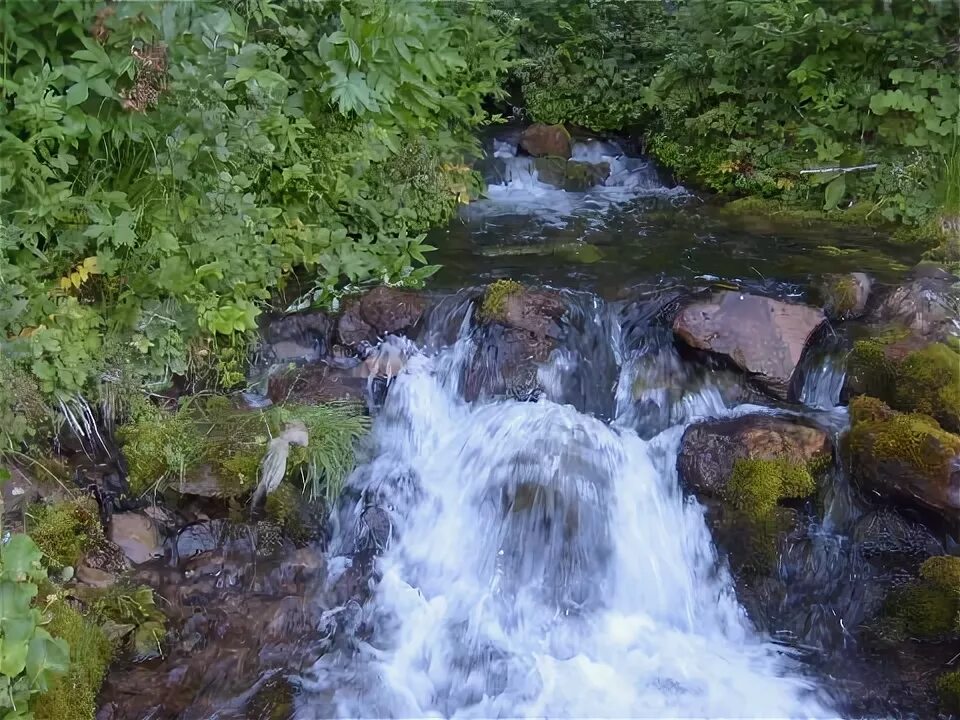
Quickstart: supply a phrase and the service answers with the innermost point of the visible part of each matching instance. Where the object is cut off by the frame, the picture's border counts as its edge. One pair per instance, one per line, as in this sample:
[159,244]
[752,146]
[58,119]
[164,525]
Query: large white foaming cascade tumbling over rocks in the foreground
[541,562]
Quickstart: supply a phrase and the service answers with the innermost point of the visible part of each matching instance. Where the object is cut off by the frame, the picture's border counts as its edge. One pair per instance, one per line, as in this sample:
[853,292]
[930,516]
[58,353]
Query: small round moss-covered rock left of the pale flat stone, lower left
[66,530]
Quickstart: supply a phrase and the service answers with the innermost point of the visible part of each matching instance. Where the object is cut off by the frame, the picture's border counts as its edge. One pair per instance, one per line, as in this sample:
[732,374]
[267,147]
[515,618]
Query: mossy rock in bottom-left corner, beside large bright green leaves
[74,696]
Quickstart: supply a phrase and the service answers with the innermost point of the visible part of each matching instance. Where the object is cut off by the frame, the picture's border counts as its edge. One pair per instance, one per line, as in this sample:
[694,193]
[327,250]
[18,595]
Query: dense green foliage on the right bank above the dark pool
[743,96]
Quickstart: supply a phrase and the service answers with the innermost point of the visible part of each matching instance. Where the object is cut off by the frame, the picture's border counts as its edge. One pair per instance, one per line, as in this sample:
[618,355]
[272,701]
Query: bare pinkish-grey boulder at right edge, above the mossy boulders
[927,305]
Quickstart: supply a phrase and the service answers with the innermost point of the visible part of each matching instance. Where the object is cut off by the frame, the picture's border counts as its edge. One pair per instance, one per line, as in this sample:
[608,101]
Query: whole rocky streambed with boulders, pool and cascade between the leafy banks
[572,493]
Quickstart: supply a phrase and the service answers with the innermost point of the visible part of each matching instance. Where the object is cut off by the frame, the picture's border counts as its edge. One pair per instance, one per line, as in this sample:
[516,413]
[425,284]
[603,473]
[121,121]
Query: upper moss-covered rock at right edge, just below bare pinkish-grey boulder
[910,376]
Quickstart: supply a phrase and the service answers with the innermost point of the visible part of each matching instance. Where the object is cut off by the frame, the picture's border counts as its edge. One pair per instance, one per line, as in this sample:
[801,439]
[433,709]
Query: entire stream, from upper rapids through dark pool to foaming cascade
[535,555]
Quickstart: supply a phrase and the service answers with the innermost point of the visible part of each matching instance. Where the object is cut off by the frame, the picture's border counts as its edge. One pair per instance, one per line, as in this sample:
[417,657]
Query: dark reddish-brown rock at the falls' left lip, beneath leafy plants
[380,312]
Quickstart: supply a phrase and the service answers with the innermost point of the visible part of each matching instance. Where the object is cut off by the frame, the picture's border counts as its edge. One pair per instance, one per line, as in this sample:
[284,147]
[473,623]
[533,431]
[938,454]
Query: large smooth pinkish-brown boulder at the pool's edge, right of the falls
[762,336]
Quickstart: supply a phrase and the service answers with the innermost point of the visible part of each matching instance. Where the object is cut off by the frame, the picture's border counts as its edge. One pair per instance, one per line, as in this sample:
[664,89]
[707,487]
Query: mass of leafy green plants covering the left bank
[138,140]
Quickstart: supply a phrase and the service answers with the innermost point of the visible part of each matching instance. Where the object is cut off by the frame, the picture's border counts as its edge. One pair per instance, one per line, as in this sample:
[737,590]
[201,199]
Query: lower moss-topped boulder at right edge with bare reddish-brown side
[904,456]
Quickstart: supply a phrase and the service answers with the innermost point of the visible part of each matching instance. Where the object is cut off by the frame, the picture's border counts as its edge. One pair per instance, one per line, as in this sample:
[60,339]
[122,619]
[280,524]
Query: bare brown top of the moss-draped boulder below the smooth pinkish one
[709,450]
